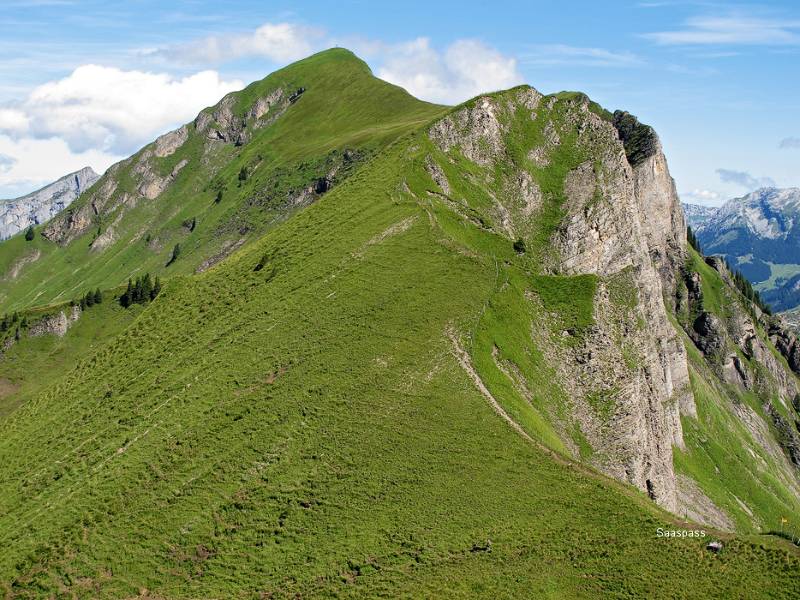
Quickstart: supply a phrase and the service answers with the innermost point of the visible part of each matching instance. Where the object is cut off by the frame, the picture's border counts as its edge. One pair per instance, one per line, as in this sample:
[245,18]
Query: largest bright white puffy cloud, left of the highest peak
[112,110]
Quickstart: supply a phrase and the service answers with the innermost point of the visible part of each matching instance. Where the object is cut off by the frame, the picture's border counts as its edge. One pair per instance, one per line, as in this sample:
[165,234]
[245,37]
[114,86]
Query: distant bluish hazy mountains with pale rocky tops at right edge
[759,234]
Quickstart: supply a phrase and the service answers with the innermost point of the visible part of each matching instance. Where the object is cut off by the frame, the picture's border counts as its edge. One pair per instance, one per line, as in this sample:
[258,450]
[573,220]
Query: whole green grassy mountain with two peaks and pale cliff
[476,358]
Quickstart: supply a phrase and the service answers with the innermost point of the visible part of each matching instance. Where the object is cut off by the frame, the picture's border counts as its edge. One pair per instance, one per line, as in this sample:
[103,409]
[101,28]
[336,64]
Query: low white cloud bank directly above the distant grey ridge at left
[32,163]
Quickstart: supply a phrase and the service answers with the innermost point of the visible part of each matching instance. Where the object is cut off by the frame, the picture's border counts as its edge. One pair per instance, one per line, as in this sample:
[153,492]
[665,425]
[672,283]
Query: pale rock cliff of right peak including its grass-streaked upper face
[631,356]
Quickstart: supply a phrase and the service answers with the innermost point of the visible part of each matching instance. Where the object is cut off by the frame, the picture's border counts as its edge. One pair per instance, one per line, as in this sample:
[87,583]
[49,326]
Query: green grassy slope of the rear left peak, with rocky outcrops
[286,150]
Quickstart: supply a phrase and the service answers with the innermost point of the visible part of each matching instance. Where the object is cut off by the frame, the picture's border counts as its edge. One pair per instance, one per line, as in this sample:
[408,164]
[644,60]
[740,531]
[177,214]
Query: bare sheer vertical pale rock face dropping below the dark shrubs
[620,225]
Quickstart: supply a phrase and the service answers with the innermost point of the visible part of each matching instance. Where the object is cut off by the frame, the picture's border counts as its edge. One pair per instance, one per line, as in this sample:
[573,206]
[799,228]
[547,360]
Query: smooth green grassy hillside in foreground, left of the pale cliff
[312,417]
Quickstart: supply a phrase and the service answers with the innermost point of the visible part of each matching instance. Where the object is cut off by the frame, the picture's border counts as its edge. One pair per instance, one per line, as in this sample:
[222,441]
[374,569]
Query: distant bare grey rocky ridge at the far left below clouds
[40,206]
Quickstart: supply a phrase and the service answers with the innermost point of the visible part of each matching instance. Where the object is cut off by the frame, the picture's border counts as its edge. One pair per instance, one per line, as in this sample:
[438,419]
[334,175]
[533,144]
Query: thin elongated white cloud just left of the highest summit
[279,42]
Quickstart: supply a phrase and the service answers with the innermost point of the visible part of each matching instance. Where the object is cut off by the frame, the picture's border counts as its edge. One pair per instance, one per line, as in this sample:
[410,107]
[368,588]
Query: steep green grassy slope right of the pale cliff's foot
[722,452]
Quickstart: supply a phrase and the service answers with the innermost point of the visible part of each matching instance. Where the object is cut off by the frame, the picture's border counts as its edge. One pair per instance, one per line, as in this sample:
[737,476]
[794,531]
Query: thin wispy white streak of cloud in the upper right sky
[735,29]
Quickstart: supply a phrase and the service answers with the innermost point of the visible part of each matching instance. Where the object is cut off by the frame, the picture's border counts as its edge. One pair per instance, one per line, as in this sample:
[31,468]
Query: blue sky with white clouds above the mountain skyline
[88,82]
